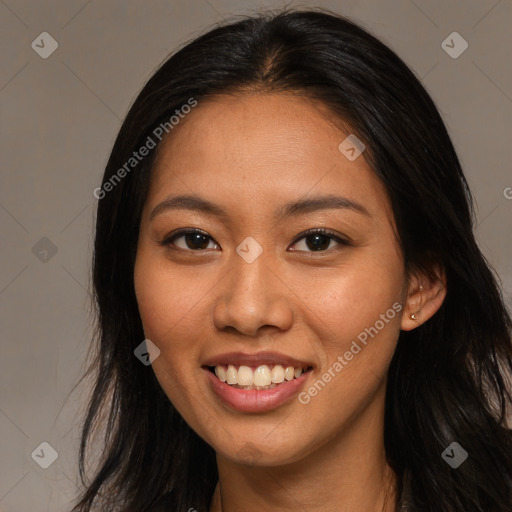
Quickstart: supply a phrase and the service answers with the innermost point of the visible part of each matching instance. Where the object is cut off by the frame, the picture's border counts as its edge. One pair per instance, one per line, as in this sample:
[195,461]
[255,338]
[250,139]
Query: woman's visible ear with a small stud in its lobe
[425,295]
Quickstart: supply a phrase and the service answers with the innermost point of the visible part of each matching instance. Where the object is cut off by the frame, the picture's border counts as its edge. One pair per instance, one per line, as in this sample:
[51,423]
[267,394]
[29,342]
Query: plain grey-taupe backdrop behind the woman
[59,118]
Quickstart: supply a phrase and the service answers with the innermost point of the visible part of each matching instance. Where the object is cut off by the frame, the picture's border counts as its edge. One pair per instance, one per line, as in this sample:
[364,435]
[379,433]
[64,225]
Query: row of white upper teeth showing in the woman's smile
[261,378]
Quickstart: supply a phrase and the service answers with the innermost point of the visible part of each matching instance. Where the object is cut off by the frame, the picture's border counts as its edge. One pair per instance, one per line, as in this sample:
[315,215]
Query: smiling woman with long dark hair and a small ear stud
[293,310]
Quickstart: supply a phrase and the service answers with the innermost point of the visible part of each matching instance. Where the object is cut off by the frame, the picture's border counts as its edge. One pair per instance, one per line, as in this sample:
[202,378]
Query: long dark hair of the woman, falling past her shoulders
[448,378]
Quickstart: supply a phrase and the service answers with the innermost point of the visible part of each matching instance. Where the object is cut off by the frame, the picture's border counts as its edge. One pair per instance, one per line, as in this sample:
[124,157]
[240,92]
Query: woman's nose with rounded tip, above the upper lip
[252,298]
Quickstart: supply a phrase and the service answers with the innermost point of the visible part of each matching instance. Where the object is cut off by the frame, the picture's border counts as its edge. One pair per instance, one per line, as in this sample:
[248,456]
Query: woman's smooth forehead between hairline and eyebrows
[270,147]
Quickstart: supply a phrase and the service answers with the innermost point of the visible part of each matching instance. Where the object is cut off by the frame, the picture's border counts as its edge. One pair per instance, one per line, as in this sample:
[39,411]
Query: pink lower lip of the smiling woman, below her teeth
[254,400]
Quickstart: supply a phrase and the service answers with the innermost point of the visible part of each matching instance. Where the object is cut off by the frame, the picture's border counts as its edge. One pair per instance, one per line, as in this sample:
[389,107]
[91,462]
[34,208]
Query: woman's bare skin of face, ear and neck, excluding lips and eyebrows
[251,154]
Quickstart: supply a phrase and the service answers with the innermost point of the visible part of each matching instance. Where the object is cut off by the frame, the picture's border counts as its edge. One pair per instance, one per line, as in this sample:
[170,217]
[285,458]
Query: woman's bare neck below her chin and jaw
[348,473]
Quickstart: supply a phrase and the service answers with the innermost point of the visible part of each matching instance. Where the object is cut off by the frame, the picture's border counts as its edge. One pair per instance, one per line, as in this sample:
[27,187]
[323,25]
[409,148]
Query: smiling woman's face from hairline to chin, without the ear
[254,291]
